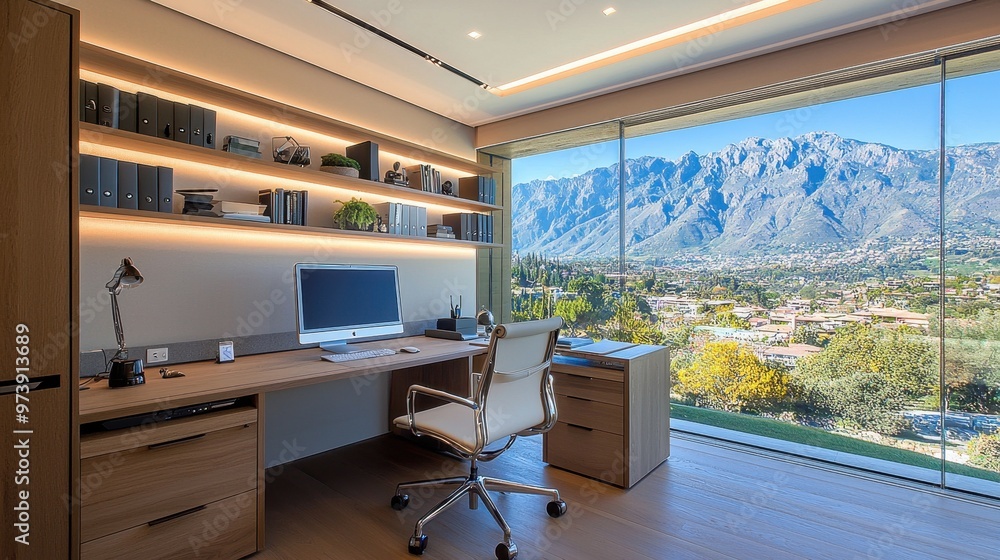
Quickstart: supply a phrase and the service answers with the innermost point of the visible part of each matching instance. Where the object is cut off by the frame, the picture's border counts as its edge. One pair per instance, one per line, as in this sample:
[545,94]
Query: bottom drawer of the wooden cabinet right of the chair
[589,452]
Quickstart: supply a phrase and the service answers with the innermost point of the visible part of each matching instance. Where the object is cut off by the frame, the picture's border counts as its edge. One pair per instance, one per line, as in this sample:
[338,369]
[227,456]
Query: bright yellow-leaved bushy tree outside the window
[731,378]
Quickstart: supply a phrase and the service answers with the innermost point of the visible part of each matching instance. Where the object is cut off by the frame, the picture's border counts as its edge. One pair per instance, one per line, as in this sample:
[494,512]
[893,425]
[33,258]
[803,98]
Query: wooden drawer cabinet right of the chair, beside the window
[614,413]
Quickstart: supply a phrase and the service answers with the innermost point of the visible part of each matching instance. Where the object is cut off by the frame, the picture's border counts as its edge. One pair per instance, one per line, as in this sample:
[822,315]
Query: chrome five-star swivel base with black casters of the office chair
[475,487]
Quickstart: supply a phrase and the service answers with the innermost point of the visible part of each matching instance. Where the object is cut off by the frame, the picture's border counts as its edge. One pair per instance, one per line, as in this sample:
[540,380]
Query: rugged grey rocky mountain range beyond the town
[759,195]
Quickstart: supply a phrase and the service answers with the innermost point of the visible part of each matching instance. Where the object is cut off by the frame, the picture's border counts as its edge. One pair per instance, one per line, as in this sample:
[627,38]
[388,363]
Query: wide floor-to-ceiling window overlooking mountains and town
[789,247]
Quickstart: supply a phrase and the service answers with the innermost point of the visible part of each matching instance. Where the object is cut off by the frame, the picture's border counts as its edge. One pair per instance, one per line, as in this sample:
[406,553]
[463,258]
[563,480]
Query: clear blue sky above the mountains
[905,119]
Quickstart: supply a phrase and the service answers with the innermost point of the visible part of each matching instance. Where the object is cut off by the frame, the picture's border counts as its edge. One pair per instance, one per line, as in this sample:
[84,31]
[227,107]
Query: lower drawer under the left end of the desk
[223,529]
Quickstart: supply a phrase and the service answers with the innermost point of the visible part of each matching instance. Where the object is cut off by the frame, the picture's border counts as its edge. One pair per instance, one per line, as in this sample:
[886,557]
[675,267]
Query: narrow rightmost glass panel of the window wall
[971,421]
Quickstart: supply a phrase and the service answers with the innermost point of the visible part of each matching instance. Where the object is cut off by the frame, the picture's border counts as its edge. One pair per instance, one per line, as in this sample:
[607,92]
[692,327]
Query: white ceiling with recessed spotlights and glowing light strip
[523,37]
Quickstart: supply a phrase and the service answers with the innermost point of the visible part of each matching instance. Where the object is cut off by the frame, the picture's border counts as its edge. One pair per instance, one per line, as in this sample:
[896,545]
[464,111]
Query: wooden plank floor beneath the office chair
[706,501]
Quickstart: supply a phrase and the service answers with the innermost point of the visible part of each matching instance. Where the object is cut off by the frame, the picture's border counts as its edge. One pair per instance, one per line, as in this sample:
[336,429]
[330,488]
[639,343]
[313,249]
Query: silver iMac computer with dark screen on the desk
[335,303]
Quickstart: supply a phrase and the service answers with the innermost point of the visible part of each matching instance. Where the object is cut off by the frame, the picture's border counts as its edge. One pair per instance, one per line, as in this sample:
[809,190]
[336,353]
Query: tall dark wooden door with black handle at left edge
[38,62]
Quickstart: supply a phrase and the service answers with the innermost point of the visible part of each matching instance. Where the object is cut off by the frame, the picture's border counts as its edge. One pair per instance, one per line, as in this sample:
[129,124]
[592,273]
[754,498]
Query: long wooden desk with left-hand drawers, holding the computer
[195,485]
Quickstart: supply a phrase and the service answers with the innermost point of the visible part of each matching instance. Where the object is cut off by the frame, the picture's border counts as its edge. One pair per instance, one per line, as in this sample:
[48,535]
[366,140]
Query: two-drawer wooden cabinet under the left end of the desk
[180,488]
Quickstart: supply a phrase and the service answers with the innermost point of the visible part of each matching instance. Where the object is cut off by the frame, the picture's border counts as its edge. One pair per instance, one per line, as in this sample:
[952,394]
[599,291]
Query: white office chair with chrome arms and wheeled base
[512,397]
